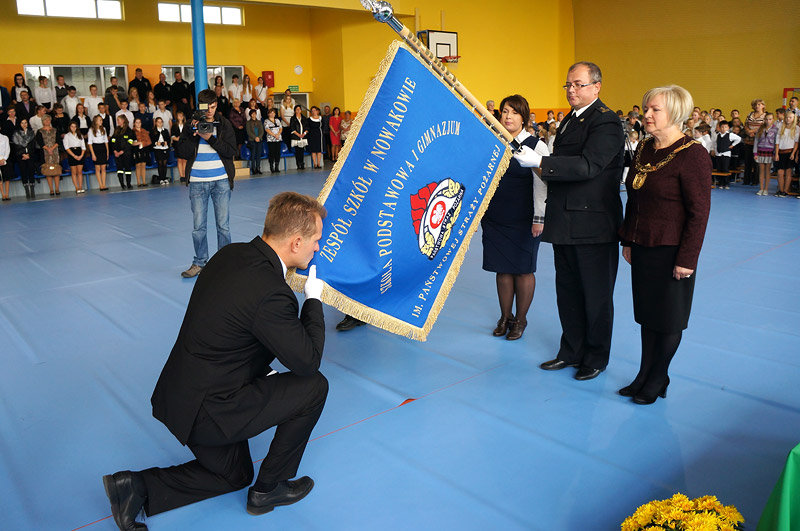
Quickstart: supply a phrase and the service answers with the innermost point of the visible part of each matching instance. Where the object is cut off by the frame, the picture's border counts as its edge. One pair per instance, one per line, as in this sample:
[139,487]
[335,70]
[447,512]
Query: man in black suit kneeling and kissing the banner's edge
[216,391]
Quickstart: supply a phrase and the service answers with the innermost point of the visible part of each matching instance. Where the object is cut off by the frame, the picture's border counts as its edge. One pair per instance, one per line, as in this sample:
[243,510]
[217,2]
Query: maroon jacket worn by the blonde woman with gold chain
[672,206]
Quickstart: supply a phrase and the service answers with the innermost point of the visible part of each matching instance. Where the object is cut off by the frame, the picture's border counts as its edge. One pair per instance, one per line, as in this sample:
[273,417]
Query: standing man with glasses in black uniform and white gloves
[582,216]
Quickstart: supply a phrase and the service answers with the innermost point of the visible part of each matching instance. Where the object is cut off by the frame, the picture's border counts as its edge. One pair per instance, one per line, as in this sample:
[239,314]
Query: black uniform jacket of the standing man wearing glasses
[583,178]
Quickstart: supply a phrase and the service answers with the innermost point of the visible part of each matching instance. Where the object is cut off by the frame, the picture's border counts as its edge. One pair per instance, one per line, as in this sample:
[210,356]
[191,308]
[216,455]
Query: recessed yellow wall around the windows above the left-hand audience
[273,38]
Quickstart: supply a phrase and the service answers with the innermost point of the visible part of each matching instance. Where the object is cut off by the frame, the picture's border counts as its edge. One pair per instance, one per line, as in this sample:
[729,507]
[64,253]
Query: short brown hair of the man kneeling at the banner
[290,213]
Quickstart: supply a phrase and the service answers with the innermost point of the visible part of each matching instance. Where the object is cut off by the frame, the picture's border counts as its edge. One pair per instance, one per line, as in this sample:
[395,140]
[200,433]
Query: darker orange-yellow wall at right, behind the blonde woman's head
[724,54]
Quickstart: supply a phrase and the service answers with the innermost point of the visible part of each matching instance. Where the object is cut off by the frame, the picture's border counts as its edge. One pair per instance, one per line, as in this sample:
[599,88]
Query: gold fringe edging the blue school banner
[354,308]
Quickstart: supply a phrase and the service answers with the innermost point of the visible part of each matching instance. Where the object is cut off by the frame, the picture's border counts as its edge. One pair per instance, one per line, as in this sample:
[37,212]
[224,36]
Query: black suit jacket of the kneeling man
[241,316]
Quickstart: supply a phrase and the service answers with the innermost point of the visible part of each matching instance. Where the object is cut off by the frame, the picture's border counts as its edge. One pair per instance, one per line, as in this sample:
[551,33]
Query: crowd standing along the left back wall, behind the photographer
[41,127]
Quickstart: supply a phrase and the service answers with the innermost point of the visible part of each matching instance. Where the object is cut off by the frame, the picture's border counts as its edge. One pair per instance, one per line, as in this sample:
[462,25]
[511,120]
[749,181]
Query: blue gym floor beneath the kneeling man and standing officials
[91,300]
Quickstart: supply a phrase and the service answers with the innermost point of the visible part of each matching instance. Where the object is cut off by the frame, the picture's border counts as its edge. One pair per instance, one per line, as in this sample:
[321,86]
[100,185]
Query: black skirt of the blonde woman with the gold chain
[660,302]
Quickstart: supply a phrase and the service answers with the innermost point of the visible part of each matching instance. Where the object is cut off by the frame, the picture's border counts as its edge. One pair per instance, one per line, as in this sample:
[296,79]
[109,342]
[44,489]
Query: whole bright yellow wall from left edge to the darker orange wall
[339,49]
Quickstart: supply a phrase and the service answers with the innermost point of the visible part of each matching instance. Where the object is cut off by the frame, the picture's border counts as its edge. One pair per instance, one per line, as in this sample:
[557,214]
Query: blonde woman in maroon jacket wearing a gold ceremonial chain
[669,197]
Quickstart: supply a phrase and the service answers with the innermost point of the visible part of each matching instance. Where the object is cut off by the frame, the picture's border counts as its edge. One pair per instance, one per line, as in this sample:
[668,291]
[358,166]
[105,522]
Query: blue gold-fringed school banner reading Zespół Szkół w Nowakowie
[406,196]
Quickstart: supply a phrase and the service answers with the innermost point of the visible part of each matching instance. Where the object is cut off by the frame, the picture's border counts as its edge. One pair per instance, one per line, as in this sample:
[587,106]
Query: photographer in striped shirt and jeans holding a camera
[211,145]
